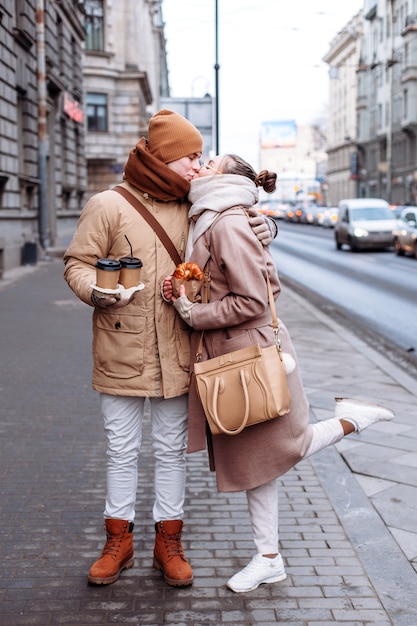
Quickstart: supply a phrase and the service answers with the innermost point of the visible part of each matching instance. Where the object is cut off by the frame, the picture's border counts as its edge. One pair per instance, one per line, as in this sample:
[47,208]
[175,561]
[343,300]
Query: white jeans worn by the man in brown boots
[123,420]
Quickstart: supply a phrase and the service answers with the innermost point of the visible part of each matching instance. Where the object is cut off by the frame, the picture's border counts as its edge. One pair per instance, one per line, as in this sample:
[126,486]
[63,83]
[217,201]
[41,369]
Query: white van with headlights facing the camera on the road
[365,223]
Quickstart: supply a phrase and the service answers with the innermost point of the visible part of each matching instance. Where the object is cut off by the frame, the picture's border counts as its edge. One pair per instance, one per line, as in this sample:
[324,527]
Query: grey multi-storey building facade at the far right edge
[387,105]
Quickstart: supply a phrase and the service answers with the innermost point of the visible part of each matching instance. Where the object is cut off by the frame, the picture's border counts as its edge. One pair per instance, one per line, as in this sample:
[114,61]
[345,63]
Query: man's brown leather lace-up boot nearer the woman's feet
[169,554]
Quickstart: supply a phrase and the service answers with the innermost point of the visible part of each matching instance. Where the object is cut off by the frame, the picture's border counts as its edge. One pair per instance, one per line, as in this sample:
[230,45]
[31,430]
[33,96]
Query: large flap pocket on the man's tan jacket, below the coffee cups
[119,345]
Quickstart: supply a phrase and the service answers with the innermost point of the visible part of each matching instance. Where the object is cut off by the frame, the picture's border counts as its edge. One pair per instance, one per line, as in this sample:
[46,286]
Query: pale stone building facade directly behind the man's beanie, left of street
[125,74]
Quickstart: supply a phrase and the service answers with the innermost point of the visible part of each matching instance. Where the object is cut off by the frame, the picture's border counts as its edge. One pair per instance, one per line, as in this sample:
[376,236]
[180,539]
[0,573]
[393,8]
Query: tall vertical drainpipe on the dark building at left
[42,130]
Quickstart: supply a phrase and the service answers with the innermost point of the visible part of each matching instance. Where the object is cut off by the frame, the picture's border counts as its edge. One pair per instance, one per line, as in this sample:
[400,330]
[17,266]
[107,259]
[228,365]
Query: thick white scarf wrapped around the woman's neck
[211,195]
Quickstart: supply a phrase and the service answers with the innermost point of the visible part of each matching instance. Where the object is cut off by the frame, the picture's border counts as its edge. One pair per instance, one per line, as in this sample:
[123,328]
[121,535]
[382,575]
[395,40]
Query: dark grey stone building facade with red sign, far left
[42,162]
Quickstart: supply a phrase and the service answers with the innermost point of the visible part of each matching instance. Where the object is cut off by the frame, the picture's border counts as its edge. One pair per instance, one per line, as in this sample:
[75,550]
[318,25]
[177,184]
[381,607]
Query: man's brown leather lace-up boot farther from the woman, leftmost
[117,553]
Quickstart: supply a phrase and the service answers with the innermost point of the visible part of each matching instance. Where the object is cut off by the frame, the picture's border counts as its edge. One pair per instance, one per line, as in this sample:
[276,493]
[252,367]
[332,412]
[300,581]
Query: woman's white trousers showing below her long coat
[263,500]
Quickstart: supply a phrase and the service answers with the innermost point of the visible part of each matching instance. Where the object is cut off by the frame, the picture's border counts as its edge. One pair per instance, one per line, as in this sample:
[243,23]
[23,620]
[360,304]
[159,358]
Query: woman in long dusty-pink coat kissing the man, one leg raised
[236,316]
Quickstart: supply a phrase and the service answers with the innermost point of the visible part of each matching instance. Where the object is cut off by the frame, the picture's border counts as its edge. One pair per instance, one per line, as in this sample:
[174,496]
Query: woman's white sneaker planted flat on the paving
[259,570]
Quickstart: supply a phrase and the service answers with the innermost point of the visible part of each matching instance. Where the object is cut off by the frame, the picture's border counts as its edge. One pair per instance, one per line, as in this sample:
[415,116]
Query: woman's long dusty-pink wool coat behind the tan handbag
[238,315]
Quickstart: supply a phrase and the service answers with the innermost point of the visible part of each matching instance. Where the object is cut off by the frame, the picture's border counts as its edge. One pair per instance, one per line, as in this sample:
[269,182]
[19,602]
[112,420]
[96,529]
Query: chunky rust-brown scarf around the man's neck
[152,176]
